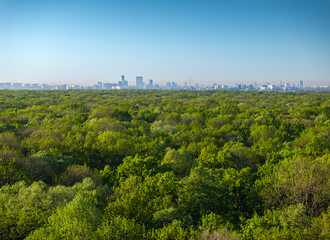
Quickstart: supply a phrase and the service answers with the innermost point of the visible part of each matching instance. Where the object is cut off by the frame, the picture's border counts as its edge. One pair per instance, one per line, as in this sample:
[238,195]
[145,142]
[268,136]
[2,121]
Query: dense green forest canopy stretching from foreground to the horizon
[164,165]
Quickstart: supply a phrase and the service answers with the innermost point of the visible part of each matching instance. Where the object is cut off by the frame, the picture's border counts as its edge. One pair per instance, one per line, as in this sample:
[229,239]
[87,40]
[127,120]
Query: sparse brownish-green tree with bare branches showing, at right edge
[300,180]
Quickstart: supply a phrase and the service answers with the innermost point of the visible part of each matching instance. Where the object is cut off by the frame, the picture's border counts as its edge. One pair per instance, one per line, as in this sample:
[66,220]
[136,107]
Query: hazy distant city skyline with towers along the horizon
[149,85]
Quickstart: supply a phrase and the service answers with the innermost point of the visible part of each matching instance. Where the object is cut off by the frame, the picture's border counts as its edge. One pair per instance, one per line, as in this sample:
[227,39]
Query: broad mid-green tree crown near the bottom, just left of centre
[139,198]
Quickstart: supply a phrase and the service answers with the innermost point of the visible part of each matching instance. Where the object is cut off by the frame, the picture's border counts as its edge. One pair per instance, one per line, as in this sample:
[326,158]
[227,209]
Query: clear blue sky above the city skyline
[229,41]
